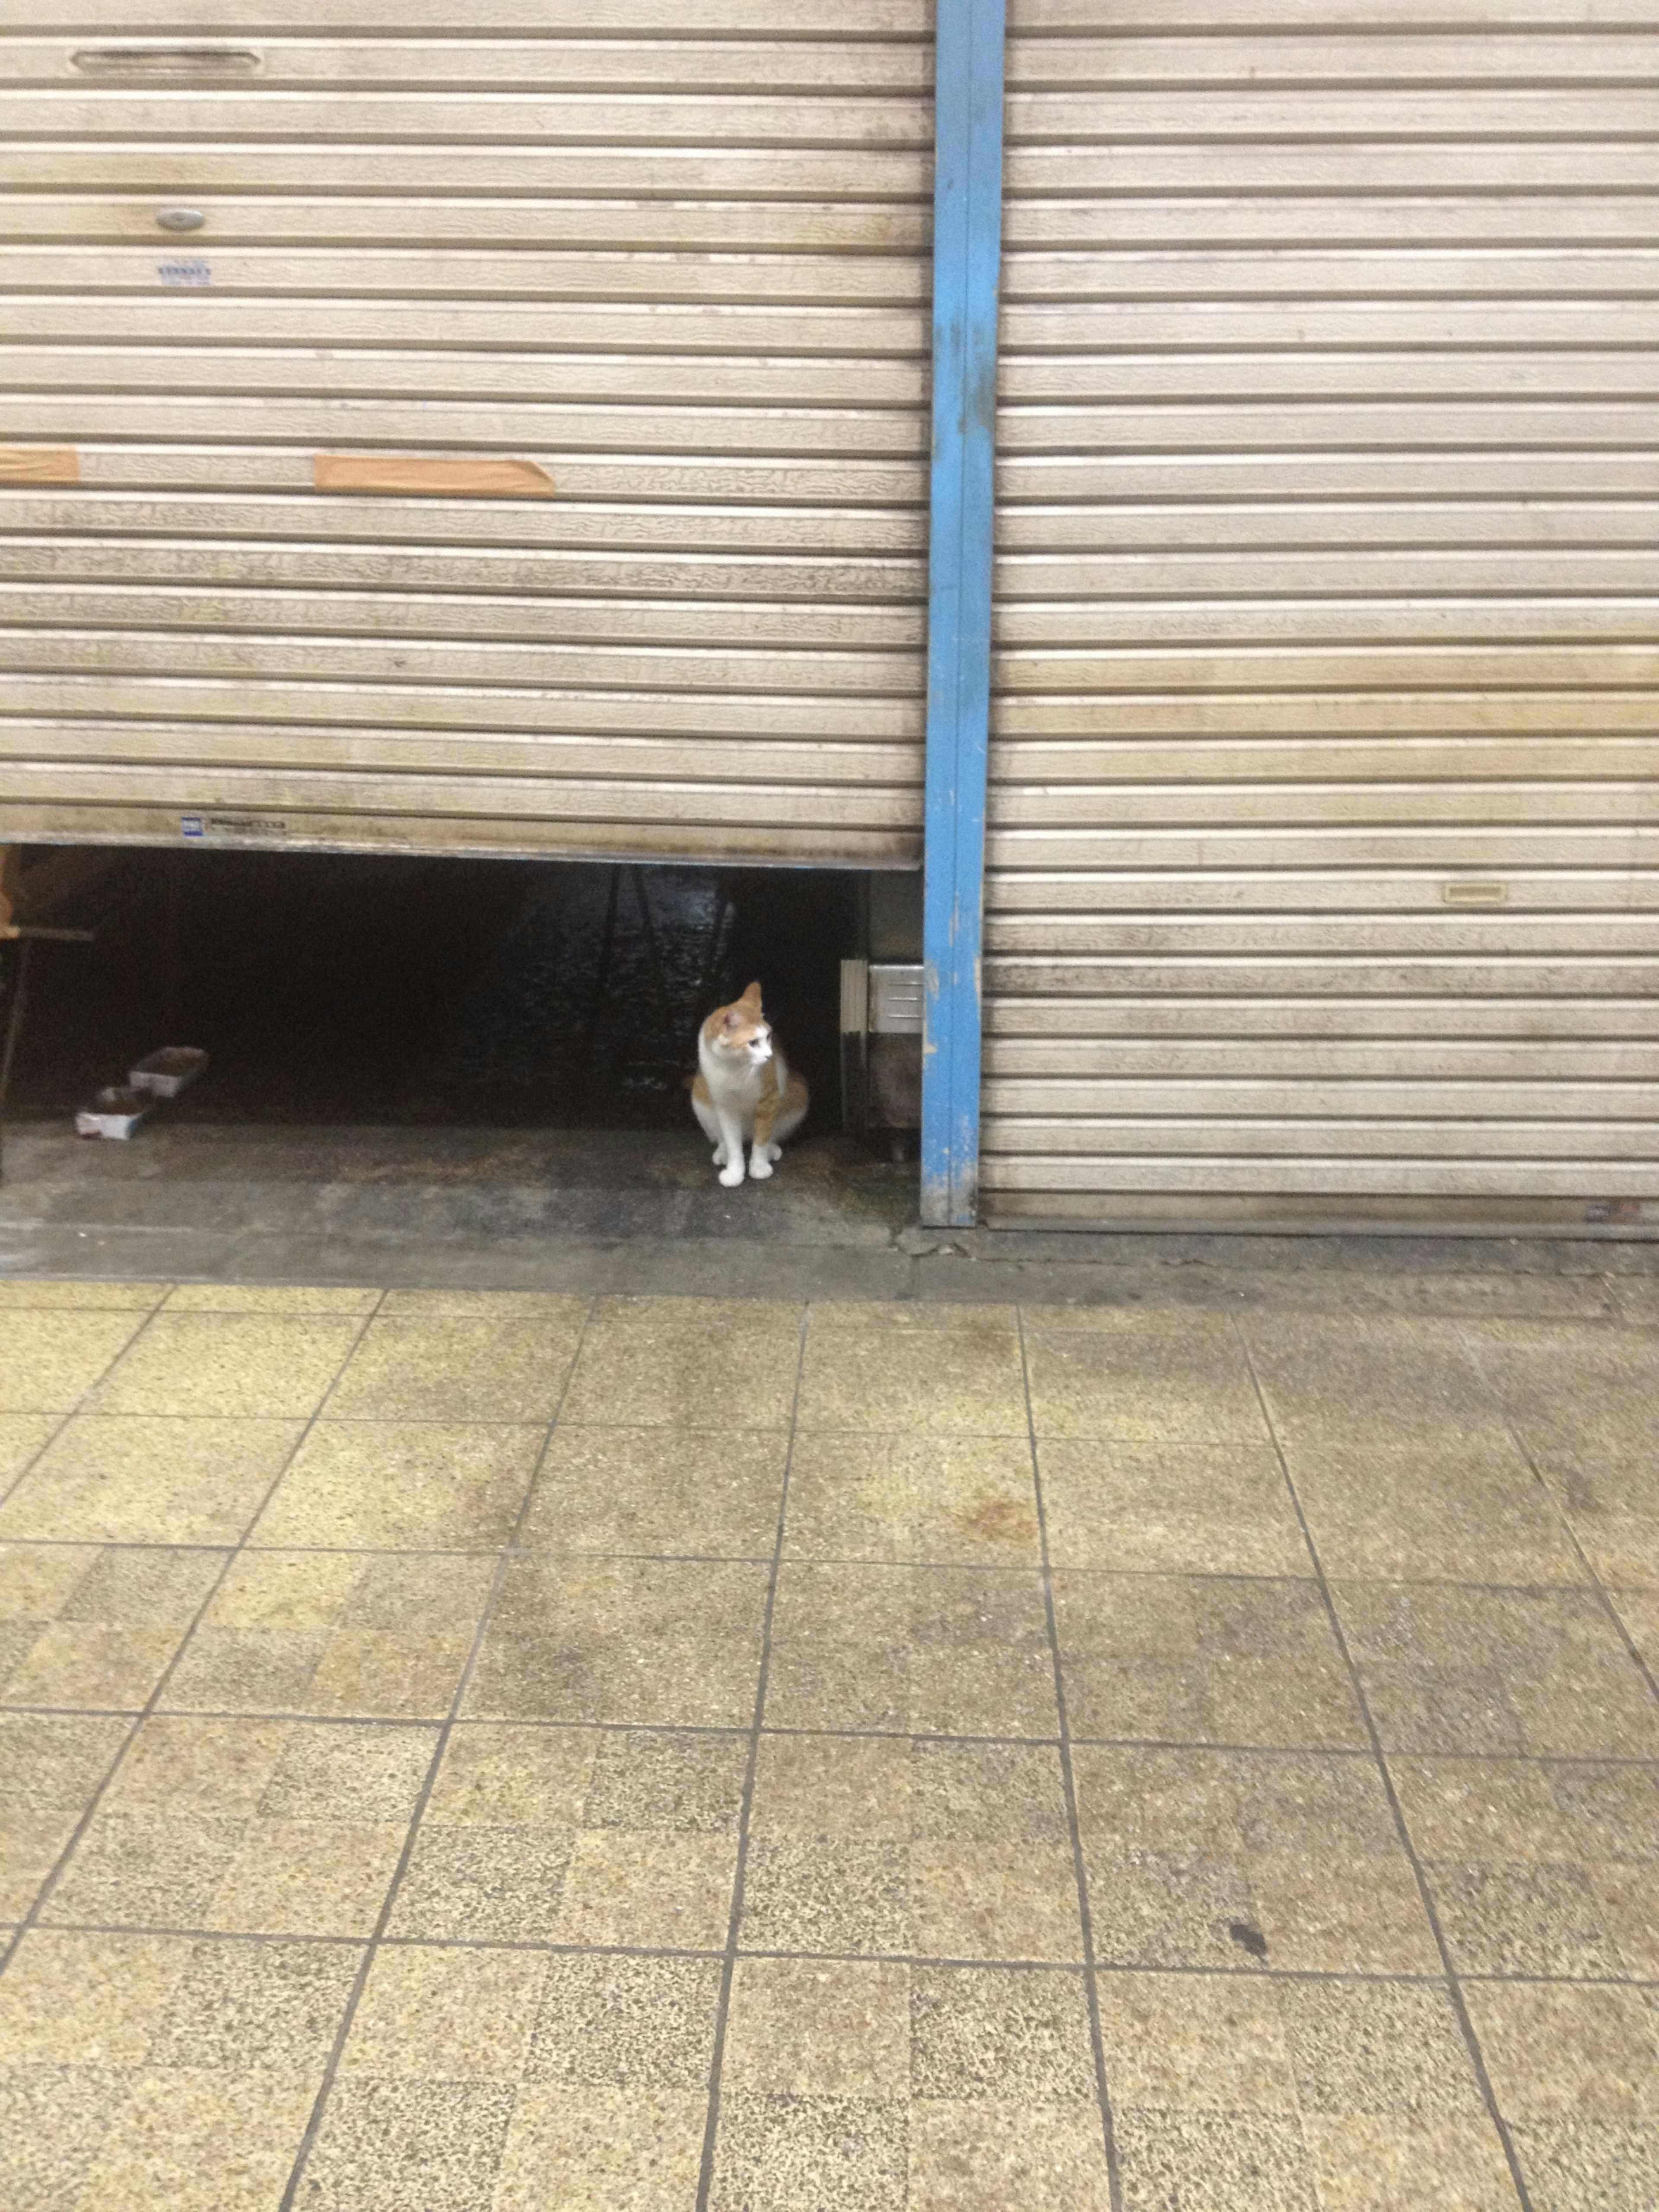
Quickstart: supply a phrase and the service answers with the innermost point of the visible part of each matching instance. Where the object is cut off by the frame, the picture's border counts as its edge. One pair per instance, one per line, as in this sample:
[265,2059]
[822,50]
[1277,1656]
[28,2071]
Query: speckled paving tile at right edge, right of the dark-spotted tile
[1538,1868]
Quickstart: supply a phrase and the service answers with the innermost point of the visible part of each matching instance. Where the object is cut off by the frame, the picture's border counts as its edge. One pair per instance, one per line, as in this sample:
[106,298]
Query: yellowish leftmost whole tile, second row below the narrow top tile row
[160,1481]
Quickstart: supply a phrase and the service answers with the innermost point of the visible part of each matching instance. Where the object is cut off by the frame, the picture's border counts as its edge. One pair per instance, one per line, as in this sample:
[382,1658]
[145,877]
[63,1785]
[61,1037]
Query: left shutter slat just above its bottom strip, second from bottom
[474,753]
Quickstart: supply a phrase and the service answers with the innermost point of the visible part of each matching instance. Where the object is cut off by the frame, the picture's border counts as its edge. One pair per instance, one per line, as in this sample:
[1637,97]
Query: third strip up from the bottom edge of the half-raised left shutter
[466,707]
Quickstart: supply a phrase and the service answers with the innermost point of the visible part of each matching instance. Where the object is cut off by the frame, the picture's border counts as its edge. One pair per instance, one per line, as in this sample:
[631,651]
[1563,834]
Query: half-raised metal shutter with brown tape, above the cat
[636,300]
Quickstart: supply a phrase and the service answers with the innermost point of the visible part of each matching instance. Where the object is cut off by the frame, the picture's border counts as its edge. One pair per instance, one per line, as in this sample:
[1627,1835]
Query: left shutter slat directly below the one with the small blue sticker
[200,317]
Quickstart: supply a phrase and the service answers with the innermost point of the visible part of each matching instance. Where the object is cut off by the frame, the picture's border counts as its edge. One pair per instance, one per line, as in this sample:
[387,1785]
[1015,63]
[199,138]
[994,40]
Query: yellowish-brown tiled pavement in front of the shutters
[512,1753]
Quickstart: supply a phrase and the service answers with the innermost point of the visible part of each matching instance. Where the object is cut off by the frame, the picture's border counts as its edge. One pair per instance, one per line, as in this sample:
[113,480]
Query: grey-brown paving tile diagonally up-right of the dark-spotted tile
[1472,1671]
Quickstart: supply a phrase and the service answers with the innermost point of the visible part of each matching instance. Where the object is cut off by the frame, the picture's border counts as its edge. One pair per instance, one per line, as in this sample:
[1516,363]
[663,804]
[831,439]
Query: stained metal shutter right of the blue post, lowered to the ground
[1324,862]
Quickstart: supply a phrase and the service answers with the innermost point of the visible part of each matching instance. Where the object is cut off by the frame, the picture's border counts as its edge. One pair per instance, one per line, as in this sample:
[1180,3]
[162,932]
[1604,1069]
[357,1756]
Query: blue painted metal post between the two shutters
[968,244]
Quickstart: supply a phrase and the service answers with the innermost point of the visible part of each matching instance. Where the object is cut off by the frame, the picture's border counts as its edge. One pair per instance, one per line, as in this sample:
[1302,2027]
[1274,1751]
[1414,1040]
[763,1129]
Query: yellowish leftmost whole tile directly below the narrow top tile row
[231,1366]
